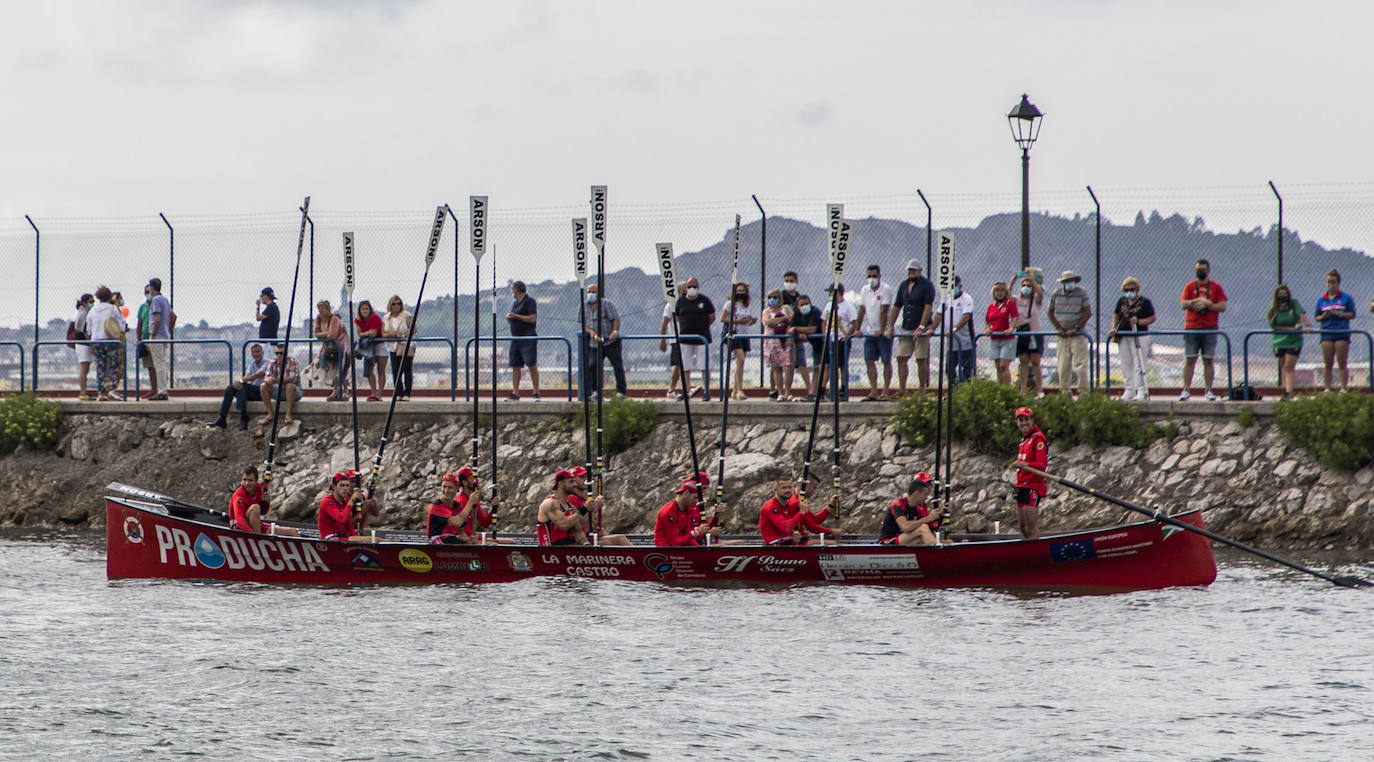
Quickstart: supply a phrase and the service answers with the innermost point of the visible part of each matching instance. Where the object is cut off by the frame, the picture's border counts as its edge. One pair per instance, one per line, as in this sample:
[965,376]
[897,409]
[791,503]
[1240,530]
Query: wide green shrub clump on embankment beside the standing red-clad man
[983,417]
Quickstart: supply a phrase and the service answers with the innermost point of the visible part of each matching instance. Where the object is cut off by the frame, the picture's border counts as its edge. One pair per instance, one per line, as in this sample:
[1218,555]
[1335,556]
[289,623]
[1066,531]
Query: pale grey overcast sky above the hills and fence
[123,109]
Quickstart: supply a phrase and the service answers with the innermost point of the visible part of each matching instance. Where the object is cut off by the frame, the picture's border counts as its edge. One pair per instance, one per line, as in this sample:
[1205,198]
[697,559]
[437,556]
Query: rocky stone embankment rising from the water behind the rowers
[1254,485]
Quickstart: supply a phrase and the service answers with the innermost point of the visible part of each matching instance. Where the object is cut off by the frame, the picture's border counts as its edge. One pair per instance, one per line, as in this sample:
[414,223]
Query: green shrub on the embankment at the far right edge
[1336,428]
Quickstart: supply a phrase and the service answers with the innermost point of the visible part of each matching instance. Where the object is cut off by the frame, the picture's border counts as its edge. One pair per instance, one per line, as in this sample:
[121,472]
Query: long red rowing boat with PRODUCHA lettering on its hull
[155,536]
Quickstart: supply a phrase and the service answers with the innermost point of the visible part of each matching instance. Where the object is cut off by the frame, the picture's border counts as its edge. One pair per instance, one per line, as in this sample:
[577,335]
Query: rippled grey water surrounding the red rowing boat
[1263,665]
